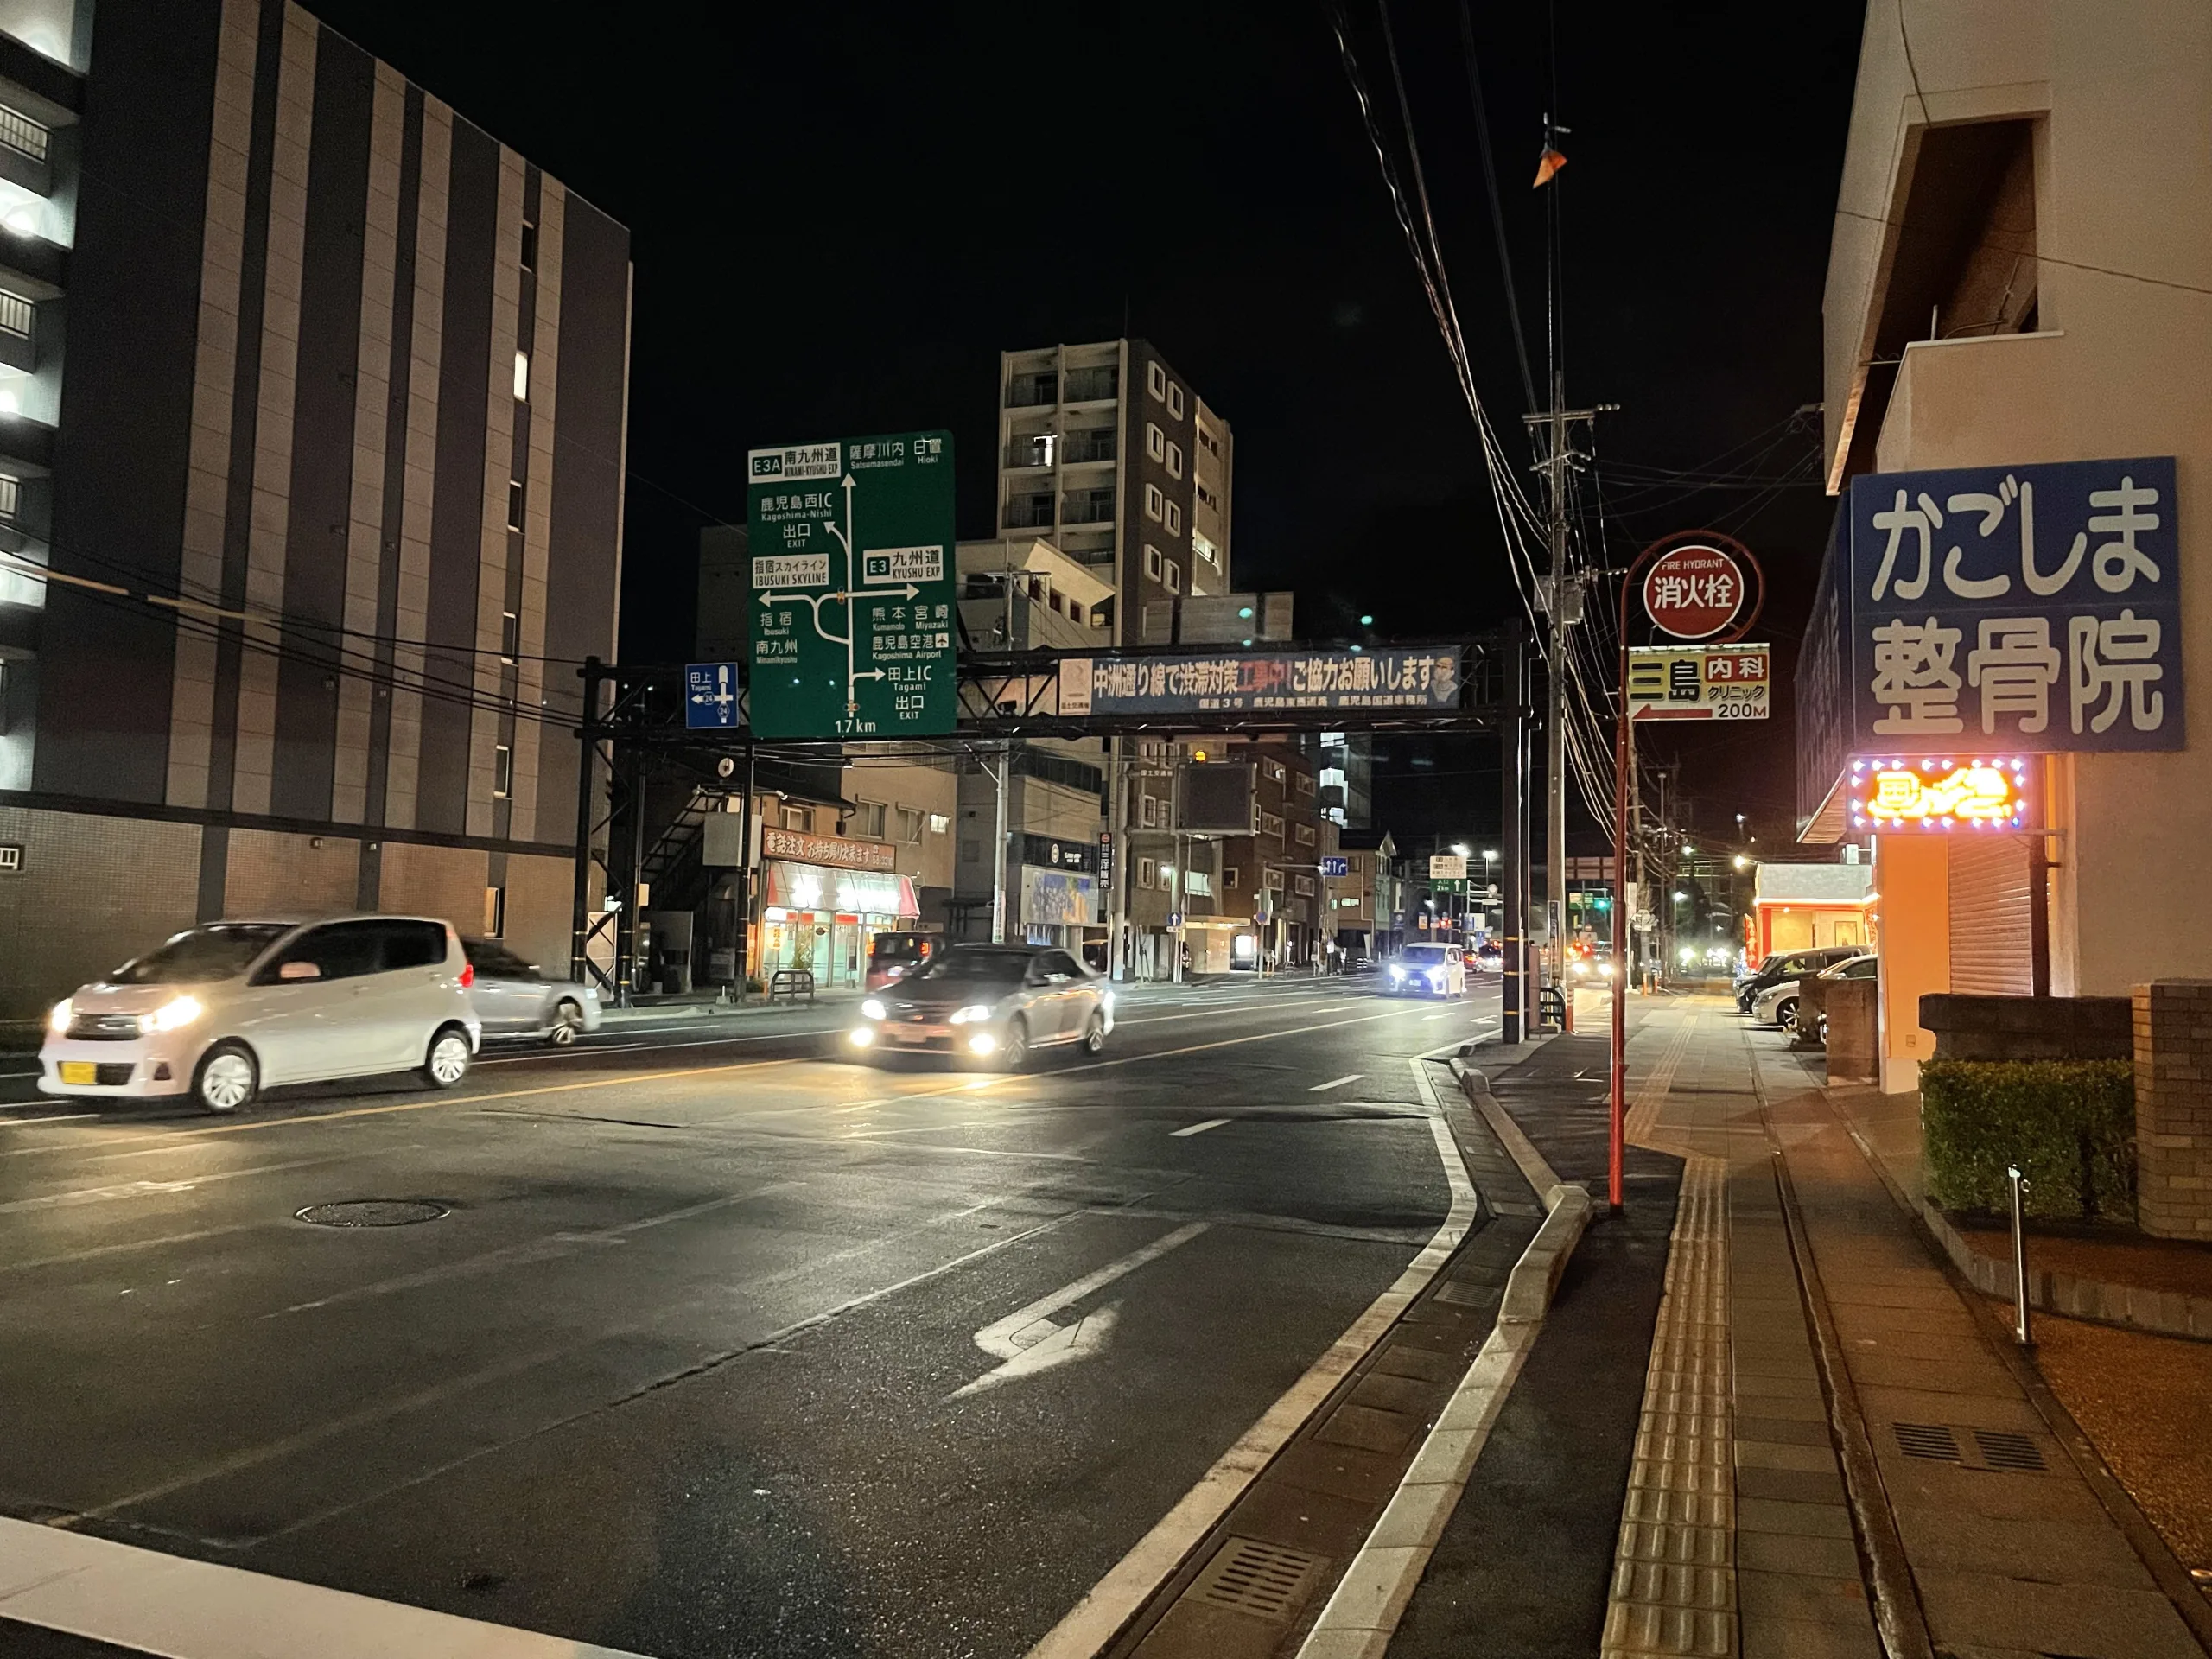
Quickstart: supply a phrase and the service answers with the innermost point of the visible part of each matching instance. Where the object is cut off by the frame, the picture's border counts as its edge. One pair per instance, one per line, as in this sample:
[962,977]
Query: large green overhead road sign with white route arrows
[853,587]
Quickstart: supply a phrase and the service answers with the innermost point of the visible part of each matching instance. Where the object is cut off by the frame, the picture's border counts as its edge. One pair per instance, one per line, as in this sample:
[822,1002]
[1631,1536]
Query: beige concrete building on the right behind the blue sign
[2021,278]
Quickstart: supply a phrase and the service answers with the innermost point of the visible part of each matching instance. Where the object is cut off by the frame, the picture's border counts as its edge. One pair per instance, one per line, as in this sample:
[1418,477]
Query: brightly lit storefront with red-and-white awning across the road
[822,908]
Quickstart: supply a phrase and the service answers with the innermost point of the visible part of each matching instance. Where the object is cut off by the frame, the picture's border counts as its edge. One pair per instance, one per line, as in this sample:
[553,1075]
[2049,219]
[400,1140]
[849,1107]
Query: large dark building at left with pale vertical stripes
[302,539]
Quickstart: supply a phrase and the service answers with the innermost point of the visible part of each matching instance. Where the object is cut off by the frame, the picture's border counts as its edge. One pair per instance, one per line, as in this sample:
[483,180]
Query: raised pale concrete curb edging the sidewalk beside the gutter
[1364,1614]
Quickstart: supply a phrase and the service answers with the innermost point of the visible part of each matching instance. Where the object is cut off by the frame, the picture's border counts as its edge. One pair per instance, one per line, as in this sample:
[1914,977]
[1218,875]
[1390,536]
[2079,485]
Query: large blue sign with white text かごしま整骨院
[2016,607]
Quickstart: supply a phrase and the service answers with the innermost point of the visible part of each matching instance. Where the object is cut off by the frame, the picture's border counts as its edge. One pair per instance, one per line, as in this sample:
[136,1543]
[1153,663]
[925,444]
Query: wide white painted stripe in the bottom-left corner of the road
[152,1603]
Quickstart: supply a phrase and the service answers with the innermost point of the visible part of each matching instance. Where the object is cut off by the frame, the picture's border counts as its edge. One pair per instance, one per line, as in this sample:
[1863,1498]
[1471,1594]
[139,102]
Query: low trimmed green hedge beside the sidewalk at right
[2067,1123]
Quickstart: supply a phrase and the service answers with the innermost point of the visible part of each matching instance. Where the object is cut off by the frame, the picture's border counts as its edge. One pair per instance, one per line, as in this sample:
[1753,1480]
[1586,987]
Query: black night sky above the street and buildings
[844,213]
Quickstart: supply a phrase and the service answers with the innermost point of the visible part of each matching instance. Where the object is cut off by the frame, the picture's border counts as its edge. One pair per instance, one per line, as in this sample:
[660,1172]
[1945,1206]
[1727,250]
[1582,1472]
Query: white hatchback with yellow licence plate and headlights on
[229,1010]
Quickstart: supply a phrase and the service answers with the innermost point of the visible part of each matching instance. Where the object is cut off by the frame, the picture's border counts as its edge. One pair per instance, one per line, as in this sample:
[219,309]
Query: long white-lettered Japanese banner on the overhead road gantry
[1253,680]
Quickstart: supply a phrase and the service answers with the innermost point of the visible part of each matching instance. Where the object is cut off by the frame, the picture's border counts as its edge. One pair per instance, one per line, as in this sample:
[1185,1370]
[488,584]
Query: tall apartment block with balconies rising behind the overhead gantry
[1107,452]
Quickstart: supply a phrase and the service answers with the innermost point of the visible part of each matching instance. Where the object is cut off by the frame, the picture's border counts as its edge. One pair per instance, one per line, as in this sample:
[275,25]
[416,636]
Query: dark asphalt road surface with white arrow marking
[713,1346]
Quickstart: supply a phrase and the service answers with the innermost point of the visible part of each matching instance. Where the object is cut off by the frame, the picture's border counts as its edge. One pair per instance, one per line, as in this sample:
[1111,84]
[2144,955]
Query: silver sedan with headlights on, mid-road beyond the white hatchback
[990,1003]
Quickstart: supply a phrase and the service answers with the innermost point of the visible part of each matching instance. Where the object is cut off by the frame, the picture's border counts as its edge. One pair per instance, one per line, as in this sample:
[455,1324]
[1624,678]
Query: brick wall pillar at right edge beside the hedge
[2173,1107]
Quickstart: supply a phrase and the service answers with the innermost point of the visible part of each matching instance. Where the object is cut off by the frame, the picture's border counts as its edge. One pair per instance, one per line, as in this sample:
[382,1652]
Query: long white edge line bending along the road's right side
[1114,1600]
